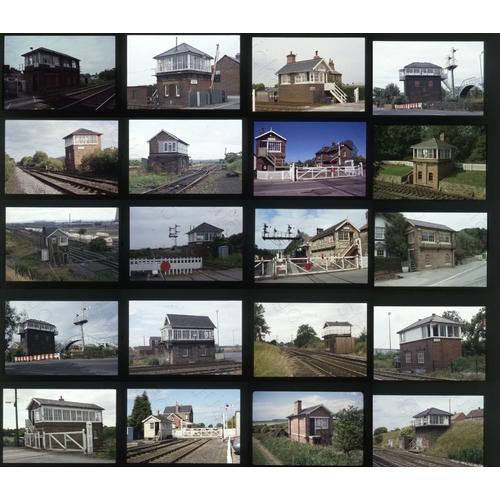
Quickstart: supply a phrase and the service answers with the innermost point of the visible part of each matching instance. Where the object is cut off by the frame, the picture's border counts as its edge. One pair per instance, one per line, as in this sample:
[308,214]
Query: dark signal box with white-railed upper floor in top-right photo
[422,82]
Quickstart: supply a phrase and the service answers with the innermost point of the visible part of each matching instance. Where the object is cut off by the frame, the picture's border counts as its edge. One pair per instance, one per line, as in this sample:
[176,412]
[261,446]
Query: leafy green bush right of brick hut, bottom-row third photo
[348,429]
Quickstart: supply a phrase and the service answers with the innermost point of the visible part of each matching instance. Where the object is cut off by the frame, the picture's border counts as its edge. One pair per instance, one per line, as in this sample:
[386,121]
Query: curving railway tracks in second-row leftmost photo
[69,183]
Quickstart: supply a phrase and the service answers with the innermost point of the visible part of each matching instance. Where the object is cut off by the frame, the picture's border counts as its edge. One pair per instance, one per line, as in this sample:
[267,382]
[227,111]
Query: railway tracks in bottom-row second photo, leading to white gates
[170,451]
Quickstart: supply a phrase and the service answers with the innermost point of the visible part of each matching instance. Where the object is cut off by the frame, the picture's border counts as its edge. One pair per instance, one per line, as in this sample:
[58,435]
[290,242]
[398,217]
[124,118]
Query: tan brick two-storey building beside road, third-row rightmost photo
[430,245]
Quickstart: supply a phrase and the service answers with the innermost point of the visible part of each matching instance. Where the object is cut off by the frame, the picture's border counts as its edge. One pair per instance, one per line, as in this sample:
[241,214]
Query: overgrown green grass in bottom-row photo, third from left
[301,454]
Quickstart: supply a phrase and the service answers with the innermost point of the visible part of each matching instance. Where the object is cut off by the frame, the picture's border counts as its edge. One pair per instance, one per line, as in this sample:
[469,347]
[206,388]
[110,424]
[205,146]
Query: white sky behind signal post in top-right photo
[390,57]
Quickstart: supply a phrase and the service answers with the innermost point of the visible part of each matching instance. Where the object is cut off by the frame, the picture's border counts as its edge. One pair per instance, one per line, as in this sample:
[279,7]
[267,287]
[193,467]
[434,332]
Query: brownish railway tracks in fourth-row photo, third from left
[322,364]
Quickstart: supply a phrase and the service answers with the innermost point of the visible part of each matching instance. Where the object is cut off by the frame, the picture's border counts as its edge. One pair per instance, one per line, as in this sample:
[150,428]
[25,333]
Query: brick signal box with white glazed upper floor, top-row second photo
[184,78]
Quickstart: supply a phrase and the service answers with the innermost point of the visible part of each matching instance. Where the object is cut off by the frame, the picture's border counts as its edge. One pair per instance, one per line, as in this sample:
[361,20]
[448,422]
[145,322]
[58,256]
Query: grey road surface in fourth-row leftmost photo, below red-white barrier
[106,366]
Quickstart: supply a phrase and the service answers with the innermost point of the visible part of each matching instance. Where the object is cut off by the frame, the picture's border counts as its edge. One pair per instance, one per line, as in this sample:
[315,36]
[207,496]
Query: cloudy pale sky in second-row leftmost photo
[26,137]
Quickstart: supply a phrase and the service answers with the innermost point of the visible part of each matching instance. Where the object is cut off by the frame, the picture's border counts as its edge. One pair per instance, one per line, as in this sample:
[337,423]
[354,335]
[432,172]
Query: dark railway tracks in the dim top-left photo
[99,97]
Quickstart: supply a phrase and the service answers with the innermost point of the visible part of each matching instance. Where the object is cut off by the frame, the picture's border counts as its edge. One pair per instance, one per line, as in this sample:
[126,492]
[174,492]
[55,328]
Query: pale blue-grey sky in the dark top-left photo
[96,53]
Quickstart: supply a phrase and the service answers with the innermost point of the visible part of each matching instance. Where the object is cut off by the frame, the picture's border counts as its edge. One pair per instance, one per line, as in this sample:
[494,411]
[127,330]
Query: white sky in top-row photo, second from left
[141,49]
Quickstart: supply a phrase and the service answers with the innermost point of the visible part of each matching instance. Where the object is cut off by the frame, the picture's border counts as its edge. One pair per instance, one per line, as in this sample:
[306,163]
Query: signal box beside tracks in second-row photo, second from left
[168,153]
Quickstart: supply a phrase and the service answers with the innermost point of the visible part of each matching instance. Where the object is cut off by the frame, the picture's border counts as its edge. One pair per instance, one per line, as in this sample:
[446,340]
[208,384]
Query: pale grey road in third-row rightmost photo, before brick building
[468,275]
